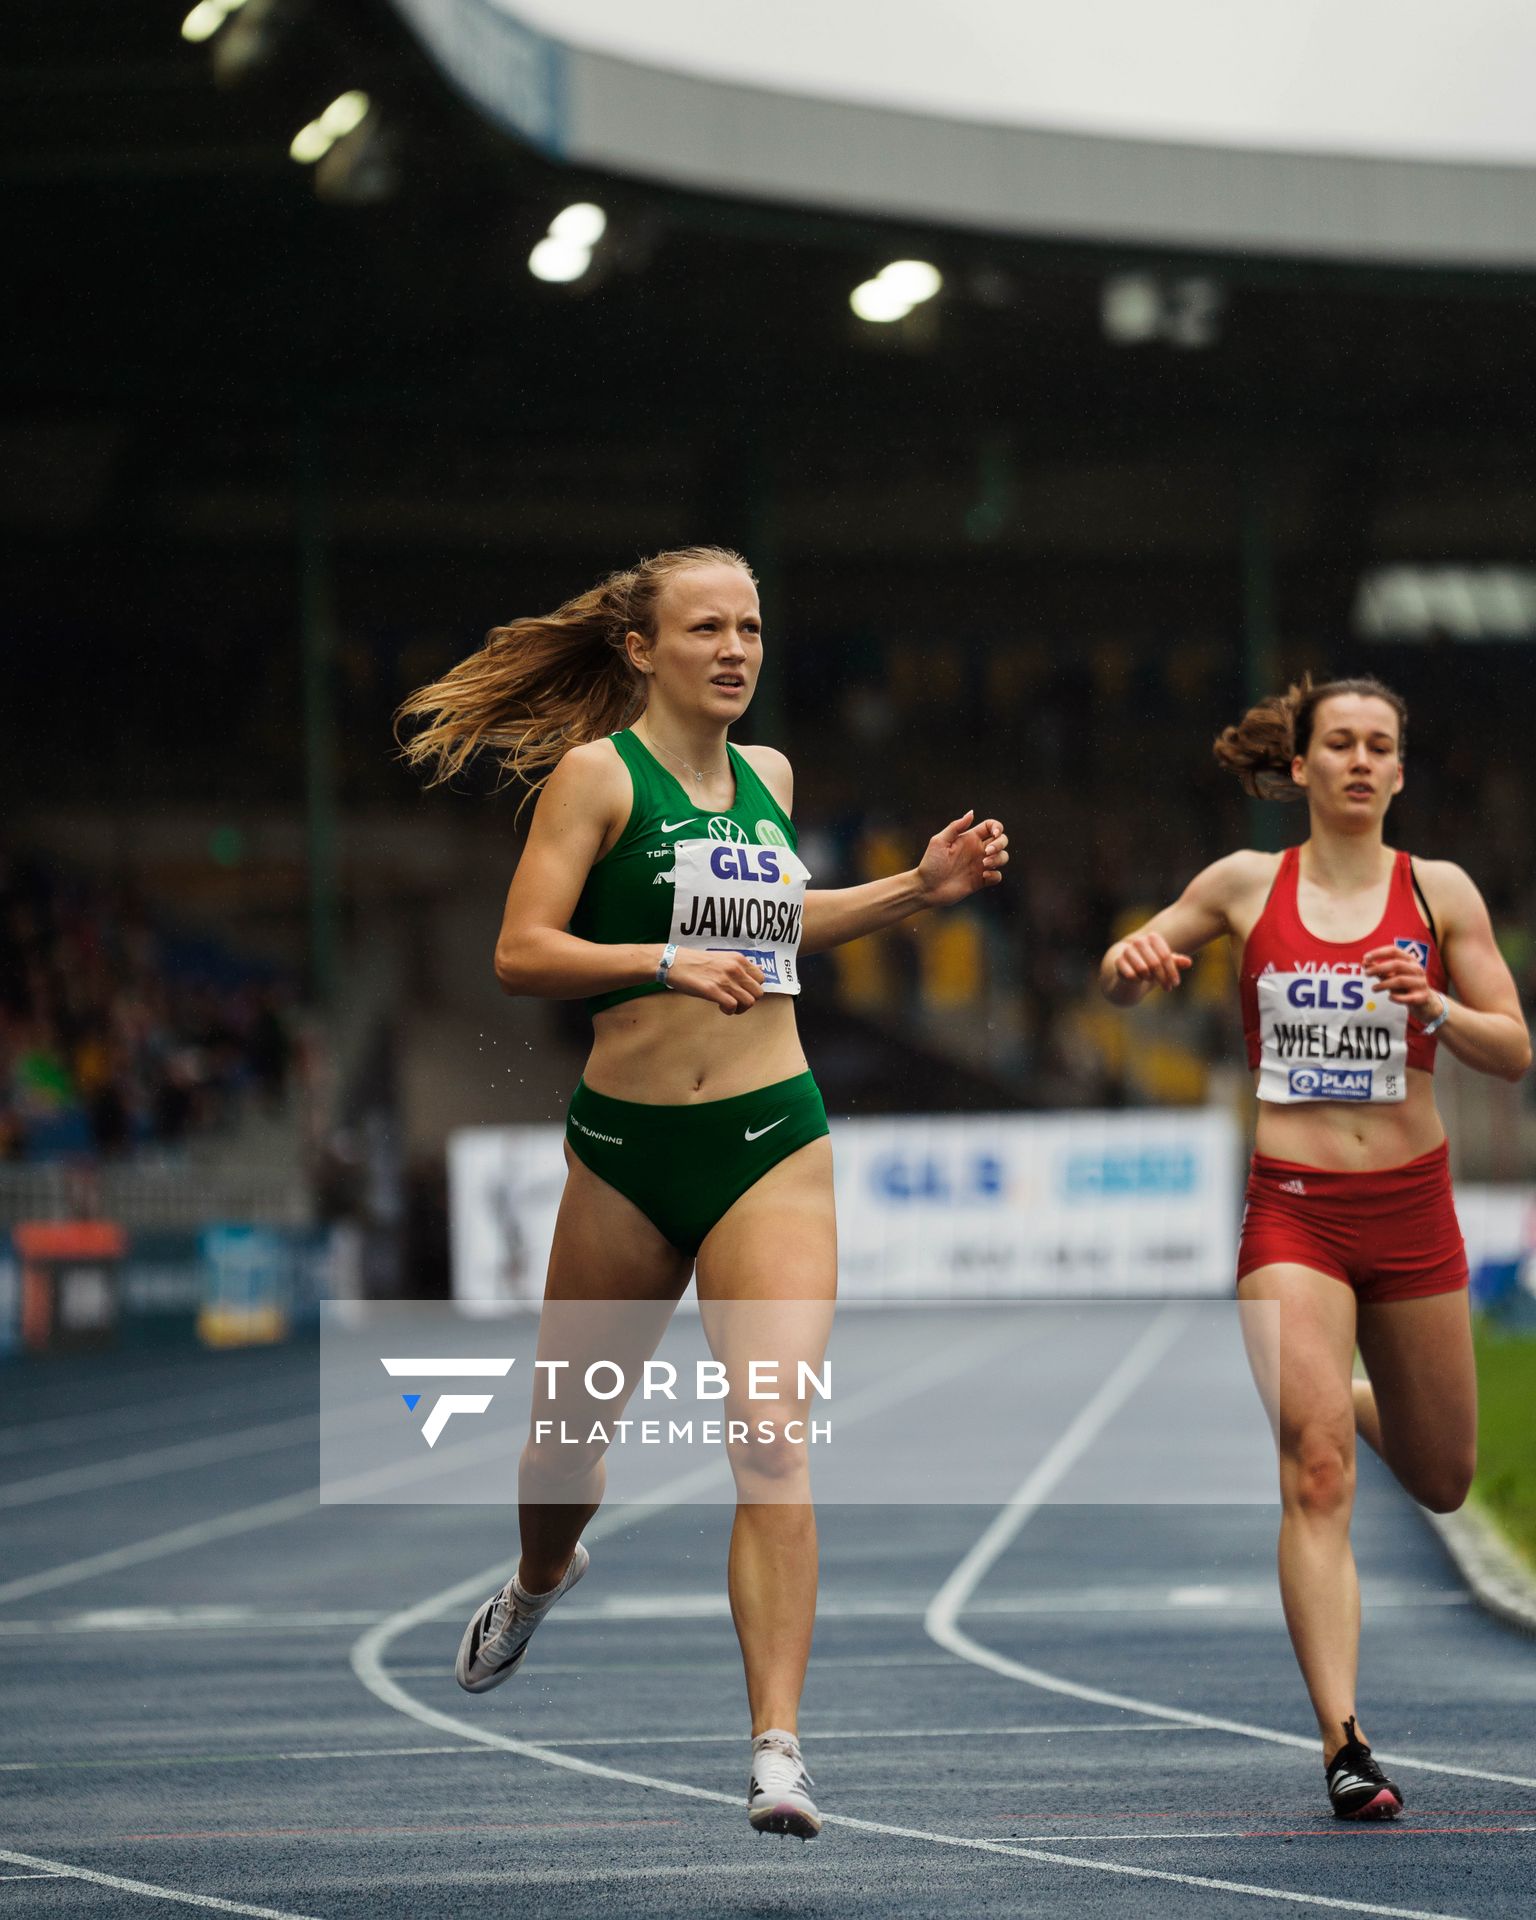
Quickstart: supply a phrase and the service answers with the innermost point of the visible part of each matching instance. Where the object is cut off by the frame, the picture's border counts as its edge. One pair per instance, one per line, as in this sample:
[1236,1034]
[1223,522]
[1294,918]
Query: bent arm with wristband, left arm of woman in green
[581,811]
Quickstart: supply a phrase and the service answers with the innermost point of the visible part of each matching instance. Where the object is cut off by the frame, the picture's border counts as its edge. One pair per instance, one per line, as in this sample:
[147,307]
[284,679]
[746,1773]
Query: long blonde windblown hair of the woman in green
[548,683]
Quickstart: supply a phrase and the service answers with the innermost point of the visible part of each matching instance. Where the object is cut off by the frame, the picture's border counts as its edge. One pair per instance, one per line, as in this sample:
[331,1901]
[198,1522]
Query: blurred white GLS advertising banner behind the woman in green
[1061,1205]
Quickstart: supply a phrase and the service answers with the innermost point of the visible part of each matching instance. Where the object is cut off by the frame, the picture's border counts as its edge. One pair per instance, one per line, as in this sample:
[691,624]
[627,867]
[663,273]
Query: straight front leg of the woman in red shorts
[1310,1406]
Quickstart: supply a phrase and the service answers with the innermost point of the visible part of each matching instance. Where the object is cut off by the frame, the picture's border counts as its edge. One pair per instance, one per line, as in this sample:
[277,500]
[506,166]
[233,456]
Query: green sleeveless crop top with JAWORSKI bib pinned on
[679,873]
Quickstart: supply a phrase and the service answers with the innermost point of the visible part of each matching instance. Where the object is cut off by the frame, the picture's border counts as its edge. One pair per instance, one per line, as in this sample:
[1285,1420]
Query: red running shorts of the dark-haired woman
[1391,1236]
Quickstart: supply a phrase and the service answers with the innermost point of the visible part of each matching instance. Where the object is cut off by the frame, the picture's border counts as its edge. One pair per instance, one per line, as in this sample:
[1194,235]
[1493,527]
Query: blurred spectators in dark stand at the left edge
[120,1034]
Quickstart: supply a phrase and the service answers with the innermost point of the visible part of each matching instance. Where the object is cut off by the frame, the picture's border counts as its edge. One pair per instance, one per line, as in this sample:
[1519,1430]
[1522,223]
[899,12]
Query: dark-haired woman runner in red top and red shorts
[1345,953]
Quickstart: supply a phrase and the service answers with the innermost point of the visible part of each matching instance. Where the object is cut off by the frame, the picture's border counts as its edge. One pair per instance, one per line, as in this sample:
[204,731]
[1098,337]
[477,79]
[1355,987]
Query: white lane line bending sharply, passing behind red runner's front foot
[948,1606]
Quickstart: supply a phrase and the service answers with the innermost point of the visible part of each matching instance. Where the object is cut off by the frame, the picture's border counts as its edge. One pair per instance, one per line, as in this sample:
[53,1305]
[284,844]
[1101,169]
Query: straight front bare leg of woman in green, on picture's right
[777,1245]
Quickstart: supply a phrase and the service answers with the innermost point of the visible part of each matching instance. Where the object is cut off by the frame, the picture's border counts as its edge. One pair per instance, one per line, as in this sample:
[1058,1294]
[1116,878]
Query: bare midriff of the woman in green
[671,1049]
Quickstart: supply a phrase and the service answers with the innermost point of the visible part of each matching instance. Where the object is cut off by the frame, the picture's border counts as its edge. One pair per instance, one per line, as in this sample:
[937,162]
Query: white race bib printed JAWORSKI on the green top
[732,898]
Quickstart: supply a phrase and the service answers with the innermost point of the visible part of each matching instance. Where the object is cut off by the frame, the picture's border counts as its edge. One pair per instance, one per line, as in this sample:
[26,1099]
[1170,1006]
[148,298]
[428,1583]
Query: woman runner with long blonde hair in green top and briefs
[692,1138]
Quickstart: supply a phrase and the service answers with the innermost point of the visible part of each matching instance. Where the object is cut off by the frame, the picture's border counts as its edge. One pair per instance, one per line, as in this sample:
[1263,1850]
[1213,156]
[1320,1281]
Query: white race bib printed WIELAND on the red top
[1330,1038]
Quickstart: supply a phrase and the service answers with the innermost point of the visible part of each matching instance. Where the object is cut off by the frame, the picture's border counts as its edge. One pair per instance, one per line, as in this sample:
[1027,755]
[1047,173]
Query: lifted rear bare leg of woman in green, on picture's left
[604,1251]
